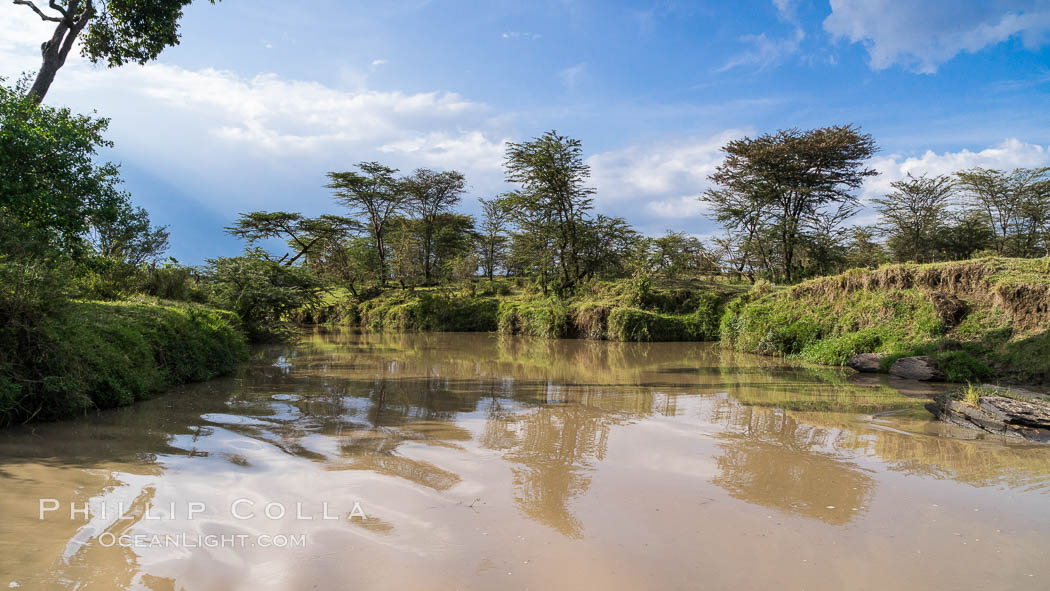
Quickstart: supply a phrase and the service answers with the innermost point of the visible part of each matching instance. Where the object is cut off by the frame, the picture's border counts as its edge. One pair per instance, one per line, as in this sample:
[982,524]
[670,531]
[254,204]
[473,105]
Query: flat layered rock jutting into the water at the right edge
[997,415]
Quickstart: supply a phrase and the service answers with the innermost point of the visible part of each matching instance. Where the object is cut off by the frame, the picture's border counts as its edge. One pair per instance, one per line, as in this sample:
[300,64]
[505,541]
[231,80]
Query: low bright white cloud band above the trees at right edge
[1007,156]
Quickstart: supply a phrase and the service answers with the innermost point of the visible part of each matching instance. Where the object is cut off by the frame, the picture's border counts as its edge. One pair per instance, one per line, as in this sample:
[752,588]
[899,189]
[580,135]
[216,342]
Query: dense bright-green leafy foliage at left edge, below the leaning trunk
[55,197]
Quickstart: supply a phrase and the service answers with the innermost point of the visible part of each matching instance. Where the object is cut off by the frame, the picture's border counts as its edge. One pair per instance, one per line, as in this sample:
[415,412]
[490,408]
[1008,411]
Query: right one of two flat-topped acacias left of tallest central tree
[430,195]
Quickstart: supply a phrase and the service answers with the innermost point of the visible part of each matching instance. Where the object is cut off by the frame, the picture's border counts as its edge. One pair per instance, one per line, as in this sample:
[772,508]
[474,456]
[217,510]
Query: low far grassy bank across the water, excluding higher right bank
[620,311]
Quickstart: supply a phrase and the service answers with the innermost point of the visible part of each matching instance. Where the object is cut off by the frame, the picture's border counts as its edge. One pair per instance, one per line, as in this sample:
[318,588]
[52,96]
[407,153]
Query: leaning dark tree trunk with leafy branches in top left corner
[118,32]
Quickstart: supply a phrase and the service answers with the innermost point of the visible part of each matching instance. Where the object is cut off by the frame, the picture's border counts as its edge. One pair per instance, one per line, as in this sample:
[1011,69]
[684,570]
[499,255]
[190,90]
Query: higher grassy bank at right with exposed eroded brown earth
[979,320]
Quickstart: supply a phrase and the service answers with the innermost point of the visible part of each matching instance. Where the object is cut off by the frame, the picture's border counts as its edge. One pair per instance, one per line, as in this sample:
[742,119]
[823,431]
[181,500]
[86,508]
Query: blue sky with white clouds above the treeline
[263,98]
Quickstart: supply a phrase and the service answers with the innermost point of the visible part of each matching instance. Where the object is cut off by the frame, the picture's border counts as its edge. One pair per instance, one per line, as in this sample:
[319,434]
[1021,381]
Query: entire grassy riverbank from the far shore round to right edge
[983,320]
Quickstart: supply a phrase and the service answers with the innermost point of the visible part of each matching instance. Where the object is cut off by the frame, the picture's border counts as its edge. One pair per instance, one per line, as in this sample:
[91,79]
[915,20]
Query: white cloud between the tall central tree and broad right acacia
[663,180]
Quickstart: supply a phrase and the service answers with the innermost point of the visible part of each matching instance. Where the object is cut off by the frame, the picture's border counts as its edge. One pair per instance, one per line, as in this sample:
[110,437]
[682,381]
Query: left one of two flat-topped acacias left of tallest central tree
[375,195]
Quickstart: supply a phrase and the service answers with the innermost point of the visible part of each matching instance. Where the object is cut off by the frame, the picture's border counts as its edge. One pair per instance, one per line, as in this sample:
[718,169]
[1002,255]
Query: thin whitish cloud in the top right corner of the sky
[921,36]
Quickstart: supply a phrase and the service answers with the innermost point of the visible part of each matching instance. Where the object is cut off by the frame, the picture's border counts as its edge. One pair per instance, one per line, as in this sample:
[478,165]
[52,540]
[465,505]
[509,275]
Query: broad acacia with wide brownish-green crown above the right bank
[792,175]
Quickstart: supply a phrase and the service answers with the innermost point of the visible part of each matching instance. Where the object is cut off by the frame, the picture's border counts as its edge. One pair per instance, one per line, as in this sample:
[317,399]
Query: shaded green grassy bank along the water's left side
[88,355]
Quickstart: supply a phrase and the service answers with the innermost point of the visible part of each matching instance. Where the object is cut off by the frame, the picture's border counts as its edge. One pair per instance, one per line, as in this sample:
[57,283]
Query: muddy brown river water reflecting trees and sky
[454,461]
